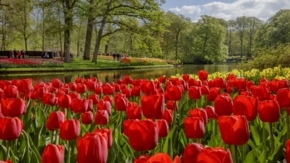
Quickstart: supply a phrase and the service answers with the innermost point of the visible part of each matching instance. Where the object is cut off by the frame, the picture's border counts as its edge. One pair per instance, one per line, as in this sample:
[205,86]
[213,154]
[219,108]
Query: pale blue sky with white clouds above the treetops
[226,9]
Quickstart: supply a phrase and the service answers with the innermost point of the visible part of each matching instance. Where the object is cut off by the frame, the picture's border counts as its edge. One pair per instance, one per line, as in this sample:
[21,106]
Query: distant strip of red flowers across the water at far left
[26,63]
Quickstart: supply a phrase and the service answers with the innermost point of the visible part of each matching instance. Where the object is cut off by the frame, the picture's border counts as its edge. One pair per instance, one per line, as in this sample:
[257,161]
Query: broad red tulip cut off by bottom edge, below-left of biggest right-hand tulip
[214,155]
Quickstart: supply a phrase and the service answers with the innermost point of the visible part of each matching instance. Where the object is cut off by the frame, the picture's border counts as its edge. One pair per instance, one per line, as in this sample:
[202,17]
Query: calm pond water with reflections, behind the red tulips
[113,75]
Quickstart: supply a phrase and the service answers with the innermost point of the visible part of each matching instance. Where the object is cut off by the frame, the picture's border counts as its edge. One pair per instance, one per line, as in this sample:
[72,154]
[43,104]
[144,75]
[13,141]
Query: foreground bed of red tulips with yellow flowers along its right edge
[235,117]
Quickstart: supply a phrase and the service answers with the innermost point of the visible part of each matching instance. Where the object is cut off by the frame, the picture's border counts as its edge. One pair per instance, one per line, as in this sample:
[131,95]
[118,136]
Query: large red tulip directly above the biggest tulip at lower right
[247,106]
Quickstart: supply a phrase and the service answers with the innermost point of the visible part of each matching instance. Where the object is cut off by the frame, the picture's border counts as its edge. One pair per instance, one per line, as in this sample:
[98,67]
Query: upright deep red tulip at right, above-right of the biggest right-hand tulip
[269,111]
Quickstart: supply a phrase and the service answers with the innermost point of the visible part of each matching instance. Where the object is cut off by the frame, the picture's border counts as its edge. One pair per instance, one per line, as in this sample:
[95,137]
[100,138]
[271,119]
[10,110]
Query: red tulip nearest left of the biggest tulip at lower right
[194,127]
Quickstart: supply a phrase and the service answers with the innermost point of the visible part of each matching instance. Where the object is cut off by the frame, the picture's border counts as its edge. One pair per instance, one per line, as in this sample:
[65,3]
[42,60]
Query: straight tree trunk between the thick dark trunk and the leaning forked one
[89,34]
